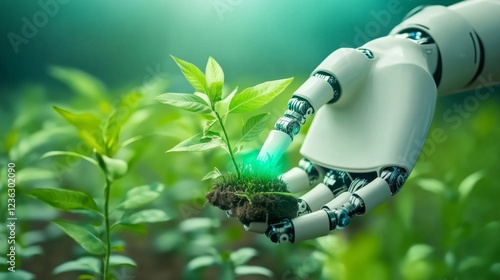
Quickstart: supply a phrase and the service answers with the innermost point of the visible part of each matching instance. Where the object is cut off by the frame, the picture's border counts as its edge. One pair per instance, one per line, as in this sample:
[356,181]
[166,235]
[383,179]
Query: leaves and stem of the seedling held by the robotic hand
[210,101]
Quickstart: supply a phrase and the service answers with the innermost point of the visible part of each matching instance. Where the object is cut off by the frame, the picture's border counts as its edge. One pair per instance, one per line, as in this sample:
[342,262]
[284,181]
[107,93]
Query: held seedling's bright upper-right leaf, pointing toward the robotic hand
[257,96]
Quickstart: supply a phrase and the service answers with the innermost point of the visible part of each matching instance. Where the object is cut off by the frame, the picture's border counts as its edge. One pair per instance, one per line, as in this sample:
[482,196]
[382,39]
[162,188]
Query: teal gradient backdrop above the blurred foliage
[118,40]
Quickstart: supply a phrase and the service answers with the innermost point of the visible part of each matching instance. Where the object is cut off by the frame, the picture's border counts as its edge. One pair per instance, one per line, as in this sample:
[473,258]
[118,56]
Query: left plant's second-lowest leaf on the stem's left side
[83,237]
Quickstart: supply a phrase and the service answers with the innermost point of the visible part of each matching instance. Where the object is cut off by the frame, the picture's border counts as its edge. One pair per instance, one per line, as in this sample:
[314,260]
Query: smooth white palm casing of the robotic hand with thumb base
[395,82]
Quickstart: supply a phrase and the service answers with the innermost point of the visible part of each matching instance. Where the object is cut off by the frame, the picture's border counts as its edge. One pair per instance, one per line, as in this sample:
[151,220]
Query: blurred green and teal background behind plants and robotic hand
[443,225]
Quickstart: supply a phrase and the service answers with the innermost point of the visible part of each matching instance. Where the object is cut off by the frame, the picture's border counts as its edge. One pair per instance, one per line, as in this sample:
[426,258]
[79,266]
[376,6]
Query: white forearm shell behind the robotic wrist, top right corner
[461,31]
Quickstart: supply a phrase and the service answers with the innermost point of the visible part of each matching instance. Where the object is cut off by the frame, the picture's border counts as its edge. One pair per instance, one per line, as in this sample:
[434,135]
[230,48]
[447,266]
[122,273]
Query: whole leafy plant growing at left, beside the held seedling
[95,237]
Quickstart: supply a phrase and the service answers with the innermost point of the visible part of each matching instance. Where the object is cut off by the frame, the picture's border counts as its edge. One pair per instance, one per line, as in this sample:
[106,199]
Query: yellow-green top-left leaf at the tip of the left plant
[88,127]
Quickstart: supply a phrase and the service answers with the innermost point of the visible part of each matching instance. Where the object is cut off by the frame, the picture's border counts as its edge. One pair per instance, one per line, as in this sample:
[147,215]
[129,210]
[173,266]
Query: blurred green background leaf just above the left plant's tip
[80,82]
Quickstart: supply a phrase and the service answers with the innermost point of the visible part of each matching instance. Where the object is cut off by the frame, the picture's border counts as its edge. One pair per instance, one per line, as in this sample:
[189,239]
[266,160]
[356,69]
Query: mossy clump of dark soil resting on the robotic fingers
[253,198]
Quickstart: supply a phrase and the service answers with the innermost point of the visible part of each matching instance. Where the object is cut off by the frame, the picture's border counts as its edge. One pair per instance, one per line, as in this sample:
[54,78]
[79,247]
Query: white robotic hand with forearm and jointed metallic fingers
[374,106]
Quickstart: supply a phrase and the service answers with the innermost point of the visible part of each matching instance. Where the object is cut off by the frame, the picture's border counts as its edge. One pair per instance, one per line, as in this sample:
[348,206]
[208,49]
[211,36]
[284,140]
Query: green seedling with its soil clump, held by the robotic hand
[242,188]
